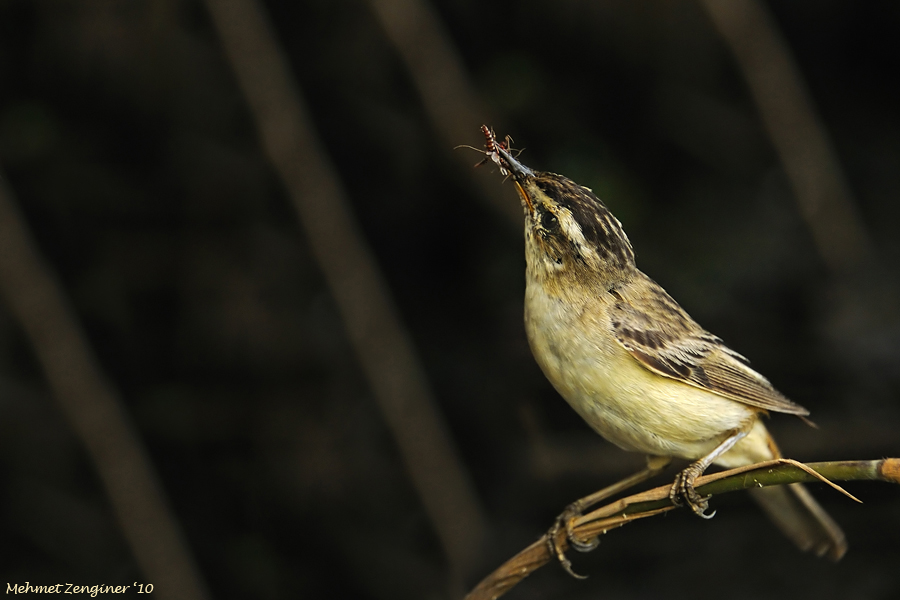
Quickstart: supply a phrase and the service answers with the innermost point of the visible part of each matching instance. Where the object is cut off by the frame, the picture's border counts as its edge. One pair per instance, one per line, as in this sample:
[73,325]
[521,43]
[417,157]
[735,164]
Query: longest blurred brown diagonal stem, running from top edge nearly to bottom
[379,339]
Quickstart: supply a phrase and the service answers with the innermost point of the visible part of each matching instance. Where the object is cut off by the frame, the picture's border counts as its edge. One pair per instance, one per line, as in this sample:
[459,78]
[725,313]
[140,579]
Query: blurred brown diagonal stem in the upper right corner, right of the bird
[800,139]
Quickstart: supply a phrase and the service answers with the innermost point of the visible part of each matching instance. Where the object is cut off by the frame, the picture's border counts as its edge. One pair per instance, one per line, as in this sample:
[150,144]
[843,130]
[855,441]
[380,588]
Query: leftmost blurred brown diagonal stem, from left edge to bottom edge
[94,410]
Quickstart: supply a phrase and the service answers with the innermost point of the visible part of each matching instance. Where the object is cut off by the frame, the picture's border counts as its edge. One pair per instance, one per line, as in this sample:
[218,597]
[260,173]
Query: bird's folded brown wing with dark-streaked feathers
[657,332]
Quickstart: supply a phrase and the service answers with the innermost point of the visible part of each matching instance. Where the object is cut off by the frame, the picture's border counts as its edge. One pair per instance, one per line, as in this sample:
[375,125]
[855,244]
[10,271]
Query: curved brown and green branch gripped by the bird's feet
[656,501]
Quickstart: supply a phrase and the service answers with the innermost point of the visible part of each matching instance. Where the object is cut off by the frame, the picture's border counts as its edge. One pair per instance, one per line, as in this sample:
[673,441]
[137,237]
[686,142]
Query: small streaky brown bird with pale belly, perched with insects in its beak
[634,364]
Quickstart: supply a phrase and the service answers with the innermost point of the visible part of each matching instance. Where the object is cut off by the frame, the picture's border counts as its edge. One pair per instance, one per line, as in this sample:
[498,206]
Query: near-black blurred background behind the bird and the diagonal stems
[137,166]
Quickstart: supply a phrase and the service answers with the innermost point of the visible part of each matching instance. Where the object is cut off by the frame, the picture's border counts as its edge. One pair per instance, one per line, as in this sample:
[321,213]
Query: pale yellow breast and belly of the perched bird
[626,403]
